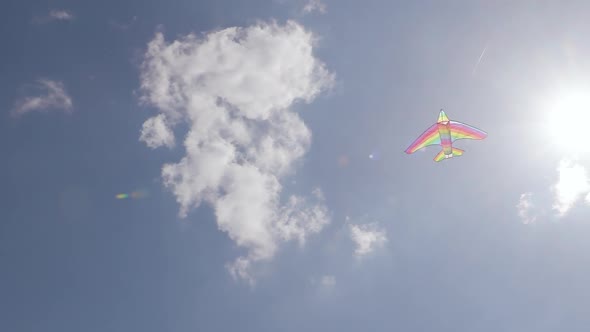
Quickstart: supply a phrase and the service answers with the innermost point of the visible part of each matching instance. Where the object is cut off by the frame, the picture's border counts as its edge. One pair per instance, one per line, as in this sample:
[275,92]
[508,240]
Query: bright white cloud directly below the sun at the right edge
[571,186]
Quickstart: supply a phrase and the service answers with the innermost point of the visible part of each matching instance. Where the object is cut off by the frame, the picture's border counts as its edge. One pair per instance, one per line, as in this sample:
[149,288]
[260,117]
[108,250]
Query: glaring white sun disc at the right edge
[569,121]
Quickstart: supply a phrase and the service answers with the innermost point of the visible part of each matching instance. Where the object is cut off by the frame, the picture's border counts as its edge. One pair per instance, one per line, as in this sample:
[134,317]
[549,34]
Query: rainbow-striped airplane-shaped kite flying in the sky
[444,132]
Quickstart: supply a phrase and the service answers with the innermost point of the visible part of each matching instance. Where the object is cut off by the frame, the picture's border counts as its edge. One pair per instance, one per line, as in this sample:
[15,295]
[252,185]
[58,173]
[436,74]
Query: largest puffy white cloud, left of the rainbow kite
[233,89]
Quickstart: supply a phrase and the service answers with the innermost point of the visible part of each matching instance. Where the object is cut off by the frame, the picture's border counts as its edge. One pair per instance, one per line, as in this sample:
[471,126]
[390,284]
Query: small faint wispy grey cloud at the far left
[49,95]
